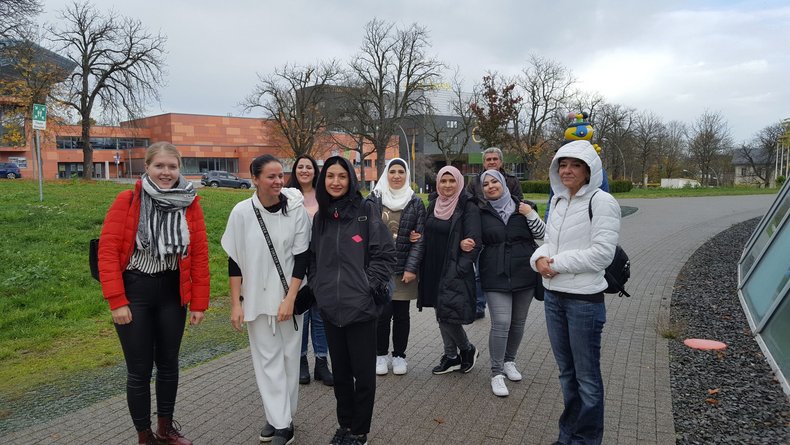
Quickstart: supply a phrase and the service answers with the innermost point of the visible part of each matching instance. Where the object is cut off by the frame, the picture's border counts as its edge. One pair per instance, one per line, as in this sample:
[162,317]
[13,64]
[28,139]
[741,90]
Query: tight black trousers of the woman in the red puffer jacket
[153,336]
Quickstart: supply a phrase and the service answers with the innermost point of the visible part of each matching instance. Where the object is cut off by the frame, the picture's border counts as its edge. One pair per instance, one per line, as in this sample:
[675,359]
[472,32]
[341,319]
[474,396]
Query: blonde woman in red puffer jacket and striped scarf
[153,263]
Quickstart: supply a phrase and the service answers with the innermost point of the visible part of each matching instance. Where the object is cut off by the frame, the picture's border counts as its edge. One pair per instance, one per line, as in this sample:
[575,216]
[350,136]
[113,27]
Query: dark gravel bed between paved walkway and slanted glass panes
[732,396]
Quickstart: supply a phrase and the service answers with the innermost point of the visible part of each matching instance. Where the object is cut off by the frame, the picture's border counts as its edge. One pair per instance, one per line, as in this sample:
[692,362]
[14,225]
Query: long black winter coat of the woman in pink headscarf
[455,302]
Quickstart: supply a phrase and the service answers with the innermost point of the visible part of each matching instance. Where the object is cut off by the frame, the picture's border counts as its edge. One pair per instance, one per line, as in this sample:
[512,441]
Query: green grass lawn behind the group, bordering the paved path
[54,320]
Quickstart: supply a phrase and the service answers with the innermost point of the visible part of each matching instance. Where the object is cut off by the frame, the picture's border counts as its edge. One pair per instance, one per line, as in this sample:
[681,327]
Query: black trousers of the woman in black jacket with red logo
[353,352]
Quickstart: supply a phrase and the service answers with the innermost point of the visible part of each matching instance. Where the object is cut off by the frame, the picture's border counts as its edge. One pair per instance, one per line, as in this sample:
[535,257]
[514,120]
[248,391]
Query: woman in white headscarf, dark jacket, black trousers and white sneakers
[404,214]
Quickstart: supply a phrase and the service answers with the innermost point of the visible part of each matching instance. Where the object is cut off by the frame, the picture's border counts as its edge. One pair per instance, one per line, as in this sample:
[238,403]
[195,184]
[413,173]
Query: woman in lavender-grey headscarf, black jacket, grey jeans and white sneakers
[510,228]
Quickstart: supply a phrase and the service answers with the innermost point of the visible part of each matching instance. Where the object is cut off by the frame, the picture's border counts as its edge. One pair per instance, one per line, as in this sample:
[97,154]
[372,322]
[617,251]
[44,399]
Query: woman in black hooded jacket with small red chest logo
[352,256]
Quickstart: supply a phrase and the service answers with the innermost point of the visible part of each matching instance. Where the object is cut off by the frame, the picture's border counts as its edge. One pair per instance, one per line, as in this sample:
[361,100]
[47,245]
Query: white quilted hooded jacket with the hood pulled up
[581,248]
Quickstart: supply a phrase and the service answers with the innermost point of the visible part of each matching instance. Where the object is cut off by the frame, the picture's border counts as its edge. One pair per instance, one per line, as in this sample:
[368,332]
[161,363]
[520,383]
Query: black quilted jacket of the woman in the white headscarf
[408,254]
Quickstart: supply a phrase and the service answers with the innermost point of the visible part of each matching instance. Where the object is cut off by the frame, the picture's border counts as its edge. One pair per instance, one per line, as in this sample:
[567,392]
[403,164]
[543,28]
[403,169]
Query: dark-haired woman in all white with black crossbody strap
[258,297]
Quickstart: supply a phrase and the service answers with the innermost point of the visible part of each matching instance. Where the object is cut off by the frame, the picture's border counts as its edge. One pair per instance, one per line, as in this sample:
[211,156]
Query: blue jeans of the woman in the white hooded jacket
[574,328]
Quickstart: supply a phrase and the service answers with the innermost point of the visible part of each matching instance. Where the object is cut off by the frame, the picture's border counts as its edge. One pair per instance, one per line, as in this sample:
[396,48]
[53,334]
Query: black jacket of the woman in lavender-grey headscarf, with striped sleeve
[504,260]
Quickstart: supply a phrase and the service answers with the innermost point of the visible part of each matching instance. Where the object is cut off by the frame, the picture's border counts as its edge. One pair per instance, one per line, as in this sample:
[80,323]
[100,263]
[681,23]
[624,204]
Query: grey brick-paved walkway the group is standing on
[219,402]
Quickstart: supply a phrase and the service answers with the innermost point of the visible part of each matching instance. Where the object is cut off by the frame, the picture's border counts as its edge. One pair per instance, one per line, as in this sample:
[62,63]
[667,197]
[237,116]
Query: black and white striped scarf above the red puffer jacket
[162,227]
